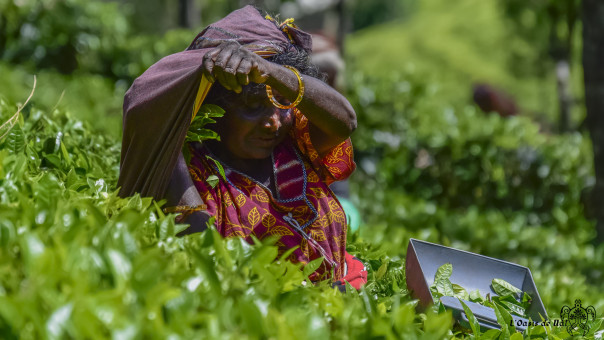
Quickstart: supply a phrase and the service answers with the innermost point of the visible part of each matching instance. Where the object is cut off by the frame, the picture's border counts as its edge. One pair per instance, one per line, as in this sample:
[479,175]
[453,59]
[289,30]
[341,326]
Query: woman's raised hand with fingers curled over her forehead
[234,66]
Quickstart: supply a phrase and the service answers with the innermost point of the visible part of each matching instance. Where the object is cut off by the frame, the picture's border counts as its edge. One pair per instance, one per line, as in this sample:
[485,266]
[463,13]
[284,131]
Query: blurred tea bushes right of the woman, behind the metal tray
[458,177]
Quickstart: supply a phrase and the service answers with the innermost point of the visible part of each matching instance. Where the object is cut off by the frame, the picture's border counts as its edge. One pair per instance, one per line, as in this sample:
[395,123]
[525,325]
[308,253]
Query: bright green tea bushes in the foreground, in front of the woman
[76,261]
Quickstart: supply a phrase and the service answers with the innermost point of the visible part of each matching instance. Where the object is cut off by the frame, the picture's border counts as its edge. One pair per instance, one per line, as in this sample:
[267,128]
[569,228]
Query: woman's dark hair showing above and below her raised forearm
[298,58]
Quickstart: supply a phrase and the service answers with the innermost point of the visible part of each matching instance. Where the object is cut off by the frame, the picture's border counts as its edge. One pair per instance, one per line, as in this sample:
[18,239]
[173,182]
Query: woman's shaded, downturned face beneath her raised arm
[252,126]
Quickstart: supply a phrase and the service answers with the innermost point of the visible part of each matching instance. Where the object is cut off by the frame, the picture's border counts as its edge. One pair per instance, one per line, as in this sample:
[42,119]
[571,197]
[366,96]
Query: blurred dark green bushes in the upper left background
[93,37]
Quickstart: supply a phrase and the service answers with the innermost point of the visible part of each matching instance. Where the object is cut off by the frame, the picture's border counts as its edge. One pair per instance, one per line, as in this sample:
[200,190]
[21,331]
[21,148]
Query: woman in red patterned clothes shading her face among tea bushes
[284,139]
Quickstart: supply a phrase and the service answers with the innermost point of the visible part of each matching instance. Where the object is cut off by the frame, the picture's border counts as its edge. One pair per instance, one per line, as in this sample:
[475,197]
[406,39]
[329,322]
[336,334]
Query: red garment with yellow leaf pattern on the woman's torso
[303,213]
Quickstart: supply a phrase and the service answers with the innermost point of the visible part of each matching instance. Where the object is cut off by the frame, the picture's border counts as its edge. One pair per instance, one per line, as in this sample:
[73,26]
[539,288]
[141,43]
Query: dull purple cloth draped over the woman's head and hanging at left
[160,104]
